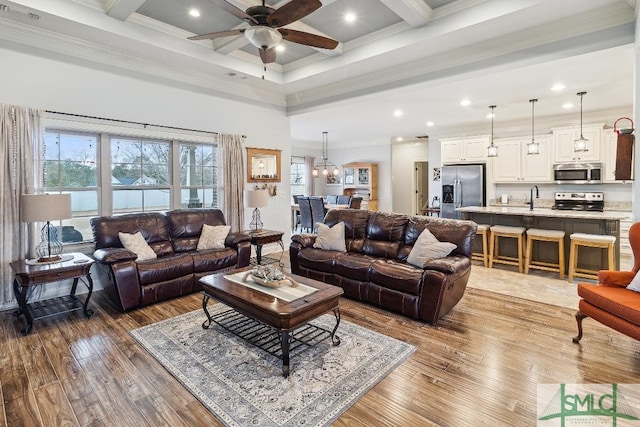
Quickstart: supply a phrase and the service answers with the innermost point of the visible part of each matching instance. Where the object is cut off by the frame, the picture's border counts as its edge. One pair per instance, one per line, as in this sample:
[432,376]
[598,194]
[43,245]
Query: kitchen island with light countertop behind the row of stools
[607,222]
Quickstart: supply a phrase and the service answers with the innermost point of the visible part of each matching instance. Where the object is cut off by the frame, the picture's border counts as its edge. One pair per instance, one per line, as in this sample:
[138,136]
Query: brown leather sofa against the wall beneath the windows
[173,236]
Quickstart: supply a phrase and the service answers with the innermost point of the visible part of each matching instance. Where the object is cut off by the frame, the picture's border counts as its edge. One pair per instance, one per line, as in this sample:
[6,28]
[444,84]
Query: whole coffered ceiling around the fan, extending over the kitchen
[420,56]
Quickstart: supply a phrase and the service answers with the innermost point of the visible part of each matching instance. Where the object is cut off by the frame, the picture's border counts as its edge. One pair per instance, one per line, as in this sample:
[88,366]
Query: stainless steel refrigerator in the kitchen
[462,185]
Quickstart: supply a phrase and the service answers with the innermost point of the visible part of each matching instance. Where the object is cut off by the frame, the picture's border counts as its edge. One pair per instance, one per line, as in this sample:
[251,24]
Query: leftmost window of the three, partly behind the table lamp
[71,166]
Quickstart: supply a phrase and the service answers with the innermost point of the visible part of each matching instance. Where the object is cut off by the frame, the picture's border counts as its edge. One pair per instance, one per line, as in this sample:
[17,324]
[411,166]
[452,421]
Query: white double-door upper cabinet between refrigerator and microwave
[514,165]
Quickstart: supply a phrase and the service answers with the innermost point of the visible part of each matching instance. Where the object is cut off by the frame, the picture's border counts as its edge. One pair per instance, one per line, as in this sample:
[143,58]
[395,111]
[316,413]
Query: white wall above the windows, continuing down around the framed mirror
[52,85]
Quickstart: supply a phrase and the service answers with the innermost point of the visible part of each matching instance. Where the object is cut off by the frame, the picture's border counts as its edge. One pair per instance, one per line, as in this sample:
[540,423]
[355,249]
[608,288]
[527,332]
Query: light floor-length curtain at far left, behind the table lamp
[21,153]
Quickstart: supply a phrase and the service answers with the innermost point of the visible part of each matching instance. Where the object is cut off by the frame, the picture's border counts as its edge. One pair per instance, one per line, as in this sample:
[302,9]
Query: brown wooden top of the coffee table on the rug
[271,310]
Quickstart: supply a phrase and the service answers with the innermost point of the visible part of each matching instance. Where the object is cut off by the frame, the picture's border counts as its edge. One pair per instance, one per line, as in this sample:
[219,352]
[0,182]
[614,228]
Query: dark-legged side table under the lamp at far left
[28,275]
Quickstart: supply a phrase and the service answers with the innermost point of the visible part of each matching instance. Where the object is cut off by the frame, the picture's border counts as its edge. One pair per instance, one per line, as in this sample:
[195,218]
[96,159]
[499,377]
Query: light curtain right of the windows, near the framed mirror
[233,180]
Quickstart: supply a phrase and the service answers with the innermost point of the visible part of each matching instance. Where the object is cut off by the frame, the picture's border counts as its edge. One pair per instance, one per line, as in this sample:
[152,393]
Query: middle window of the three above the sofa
[140,175]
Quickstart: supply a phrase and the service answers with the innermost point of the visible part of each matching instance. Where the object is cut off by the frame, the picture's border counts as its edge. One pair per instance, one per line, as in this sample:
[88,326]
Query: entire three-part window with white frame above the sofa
[107,173]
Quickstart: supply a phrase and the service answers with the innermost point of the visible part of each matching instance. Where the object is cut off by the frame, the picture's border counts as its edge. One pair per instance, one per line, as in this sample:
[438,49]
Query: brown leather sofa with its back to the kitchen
[374,268]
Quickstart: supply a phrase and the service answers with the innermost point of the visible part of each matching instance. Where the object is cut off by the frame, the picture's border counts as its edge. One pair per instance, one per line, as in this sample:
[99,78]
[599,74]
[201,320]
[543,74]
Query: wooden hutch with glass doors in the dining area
[361,180]
